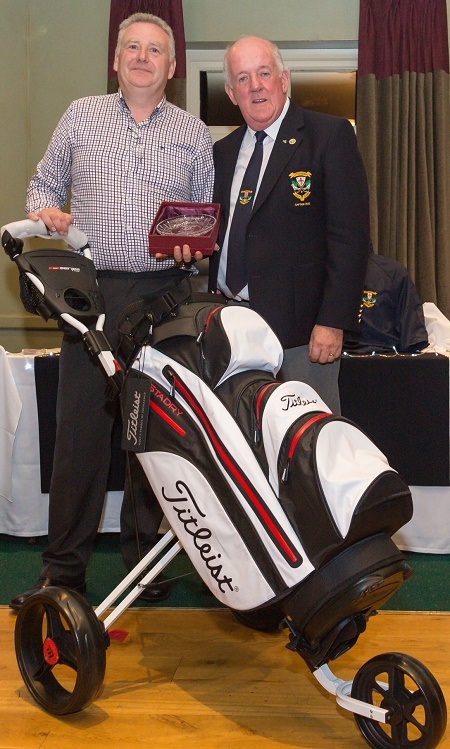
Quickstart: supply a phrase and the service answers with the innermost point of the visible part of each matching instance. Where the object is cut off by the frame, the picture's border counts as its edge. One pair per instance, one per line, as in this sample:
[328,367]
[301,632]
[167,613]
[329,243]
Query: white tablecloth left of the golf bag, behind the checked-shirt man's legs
[23,508]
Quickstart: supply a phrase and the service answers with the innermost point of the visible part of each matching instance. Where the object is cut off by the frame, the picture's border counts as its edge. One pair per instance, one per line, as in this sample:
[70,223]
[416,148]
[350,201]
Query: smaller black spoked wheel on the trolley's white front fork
[405,687]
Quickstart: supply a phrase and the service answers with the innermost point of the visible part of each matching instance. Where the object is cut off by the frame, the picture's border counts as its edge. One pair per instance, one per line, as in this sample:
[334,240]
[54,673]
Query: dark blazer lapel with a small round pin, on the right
[288,140]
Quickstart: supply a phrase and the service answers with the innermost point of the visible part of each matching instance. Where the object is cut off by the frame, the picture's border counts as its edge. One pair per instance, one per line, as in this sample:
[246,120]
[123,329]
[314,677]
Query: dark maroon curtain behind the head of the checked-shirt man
[171,11]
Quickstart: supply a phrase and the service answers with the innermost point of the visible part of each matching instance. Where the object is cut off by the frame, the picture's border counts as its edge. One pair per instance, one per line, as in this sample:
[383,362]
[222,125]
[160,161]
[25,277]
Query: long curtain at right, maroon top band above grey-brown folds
[403,128]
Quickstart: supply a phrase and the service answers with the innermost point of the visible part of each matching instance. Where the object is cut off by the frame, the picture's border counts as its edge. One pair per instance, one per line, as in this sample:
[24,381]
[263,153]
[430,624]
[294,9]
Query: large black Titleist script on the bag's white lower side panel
[192,519]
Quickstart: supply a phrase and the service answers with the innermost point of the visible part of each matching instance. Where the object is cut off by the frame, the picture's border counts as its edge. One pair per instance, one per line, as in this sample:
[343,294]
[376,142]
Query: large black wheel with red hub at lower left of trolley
[61,650]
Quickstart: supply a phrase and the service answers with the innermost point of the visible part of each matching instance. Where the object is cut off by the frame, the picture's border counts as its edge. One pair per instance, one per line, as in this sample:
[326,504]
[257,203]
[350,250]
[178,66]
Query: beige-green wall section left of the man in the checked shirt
[60,48]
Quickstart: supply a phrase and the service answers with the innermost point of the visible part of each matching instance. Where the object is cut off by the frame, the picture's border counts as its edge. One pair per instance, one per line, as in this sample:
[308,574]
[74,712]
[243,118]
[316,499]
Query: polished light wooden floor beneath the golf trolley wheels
[194,679]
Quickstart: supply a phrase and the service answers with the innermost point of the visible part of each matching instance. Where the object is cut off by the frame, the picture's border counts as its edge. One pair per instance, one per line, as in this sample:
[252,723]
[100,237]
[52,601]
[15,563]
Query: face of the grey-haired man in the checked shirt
[143,59]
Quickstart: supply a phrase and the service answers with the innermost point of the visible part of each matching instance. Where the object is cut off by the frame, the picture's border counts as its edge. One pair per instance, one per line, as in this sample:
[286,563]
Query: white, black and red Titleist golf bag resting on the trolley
[285,510]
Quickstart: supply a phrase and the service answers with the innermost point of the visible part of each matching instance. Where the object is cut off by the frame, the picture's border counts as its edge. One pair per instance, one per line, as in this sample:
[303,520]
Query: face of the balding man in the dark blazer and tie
[255,82]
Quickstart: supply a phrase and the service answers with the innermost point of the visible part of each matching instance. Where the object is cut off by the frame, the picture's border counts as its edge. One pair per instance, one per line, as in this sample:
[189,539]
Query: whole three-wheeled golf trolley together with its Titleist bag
[285,510]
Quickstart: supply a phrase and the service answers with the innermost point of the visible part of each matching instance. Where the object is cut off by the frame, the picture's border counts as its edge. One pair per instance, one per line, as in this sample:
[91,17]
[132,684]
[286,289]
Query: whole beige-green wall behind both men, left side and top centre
[53,51]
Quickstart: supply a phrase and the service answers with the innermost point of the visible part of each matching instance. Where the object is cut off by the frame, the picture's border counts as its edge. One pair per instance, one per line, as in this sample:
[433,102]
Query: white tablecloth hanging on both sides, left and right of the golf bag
[23,509]
